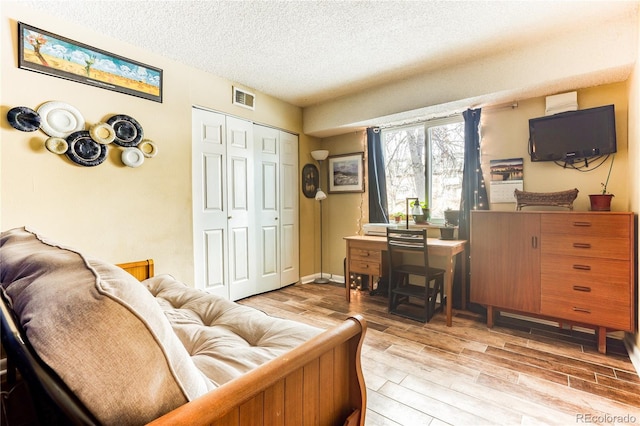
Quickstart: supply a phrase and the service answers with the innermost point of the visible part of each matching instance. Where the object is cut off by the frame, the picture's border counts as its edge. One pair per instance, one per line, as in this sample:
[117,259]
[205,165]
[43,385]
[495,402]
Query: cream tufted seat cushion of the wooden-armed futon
[225,339]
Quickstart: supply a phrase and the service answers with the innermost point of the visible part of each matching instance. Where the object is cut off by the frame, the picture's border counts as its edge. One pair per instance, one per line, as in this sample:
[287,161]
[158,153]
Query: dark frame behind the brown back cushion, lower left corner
[54,402]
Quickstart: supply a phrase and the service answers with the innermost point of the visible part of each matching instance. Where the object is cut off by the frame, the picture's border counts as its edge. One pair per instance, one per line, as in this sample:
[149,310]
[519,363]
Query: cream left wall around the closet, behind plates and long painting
[111,211]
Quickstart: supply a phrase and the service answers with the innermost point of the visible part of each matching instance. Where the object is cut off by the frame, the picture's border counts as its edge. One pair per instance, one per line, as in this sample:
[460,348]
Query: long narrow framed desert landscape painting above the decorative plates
[48,53]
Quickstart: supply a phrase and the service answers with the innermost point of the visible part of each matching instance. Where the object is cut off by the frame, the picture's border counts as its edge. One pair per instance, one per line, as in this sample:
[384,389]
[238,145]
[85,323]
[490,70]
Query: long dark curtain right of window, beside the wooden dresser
[474,195]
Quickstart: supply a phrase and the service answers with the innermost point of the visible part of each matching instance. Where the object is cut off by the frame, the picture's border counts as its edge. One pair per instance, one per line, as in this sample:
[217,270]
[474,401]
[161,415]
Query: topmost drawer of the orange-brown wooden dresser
[594,225]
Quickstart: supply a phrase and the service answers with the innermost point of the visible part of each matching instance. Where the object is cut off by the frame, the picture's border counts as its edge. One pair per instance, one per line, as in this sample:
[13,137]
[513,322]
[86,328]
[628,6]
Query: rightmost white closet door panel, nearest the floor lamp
[289,228]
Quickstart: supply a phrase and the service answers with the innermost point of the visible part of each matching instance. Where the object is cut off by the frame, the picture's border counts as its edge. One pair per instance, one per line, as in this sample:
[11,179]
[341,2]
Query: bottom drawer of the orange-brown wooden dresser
[587,308]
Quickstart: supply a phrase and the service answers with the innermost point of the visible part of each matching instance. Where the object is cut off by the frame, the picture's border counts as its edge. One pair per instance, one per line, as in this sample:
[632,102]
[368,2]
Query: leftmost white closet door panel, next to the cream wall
[209,191]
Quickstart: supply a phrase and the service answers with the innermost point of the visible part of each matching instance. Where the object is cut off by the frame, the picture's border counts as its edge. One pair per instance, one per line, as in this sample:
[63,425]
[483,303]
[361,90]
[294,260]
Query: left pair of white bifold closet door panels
[223,204]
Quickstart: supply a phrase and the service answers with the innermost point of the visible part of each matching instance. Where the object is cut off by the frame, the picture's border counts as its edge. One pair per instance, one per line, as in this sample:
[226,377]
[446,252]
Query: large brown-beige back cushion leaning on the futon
[99,329]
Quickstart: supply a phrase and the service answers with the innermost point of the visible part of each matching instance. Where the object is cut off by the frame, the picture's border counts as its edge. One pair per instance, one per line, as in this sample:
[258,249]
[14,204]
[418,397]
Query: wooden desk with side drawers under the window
[365,255]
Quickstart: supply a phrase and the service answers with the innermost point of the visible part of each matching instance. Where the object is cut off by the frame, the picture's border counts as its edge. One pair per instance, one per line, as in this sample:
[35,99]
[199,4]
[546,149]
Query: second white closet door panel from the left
[241,208]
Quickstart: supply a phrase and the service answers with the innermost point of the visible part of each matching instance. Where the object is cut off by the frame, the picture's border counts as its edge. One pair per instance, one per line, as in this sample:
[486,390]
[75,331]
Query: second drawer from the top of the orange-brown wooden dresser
[585,246]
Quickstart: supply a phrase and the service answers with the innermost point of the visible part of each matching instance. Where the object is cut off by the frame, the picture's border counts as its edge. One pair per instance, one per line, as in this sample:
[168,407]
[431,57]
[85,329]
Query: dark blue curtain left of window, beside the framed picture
[377,182]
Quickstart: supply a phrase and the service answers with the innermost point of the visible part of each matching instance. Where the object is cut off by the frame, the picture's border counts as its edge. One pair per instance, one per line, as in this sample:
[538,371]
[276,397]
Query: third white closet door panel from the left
[267,148]
